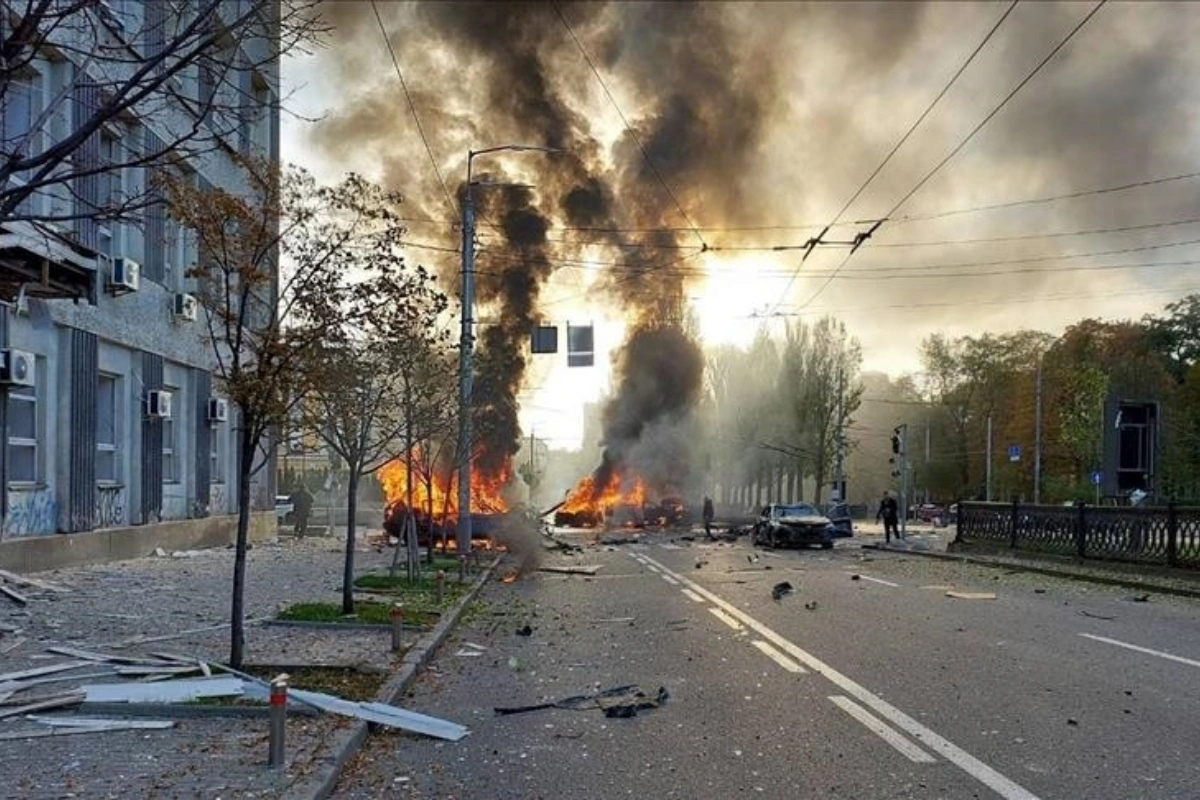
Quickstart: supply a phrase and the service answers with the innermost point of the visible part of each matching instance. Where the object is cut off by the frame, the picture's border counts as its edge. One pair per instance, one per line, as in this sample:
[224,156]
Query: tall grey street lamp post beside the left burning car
[467,341]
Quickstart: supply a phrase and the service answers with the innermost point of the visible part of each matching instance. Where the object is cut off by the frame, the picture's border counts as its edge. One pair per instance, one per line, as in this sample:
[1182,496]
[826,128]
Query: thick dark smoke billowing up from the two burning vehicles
[703,106]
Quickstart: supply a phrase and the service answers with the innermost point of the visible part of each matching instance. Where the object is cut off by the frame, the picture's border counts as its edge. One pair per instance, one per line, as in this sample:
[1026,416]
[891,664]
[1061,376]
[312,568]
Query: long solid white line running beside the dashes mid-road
[949,750]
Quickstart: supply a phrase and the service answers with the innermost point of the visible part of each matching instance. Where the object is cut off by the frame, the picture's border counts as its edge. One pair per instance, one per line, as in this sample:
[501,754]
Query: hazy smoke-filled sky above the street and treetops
[764,121]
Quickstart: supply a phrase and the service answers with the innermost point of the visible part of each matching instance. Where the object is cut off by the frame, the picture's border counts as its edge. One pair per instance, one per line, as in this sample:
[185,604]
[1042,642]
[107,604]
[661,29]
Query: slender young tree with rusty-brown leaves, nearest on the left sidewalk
[266,324]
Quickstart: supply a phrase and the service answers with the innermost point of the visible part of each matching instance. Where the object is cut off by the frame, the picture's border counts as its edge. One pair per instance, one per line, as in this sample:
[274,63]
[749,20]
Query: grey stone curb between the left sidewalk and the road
[347,743]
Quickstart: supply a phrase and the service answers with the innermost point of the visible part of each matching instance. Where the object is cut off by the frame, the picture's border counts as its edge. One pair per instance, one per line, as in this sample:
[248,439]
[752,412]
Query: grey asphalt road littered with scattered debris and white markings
[871,687]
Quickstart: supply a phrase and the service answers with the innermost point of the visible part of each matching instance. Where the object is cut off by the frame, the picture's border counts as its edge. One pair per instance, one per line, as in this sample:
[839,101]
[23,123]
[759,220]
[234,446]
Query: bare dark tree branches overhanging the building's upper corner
[91,94]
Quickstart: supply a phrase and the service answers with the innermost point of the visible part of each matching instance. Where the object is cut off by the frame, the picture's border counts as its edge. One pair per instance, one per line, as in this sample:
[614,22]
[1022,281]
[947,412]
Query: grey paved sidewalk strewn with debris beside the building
[111,607]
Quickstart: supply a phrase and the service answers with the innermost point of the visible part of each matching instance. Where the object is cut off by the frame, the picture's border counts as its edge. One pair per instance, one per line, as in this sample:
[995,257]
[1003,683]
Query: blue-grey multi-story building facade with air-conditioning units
[116,430]
